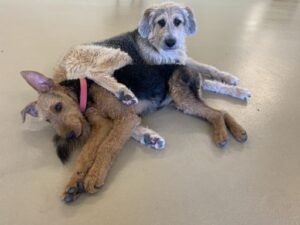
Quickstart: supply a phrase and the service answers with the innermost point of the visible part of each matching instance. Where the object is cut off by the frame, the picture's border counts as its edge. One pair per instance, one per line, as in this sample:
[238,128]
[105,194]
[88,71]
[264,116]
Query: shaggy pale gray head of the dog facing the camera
[166,25]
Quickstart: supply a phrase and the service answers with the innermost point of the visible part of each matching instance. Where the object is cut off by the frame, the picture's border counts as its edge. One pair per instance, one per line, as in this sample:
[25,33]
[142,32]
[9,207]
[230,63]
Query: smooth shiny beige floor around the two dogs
[191,182]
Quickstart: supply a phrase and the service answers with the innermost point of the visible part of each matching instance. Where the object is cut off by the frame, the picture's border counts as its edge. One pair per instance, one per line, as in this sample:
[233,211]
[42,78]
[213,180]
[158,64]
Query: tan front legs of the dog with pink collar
[112,123]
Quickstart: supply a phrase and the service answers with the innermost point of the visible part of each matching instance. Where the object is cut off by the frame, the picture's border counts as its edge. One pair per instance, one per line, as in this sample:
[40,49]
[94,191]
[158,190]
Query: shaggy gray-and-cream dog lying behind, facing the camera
[159,39]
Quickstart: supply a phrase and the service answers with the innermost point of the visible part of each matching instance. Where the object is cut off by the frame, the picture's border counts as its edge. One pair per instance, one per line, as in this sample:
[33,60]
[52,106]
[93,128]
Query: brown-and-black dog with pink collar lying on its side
[111,121]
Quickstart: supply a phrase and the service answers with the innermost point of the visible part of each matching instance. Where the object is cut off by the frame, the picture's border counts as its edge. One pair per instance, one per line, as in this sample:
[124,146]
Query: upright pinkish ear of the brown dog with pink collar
[38,81]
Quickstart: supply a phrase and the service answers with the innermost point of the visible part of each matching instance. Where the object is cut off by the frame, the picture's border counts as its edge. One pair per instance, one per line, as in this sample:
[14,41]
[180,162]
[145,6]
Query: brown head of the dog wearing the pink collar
[58,106]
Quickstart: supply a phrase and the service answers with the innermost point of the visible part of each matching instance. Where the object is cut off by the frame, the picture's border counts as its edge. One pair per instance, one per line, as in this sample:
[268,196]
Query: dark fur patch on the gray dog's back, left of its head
[125,42]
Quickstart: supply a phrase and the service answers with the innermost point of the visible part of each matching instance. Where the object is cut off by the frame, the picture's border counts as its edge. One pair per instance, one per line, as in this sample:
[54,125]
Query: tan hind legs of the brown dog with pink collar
[186,101]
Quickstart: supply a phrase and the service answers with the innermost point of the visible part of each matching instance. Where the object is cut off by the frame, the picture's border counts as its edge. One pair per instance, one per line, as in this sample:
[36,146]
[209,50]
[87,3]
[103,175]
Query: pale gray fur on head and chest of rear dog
[153,36]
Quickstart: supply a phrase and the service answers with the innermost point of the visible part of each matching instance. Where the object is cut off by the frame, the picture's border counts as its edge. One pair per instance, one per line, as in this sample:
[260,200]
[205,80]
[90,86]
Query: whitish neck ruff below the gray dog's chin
[155,56]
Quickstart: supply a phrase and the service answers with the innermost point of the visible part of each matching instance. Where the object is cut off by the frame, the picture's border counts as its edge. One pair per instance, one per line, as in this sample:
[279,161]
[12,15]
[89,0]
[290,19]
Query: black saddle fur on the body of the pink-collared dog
[151,82]
